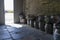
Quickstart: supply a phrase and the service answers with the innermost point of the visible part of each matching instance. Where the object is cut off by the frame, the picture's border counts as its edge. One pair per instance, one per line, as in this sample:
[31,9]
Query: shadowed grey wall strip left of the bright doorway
[2,20]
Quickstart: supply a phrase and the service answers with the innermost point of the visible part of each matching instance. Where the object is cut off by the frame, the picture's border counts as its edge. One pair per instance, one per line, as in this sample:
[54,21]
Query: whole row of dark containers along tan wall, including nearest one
[48,24]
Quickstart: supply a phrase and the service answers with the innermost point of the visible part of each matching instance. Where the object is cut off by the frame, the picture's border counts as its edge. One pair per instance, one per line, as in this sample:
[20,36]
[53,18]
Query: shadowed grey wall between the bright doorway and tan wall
[18,8]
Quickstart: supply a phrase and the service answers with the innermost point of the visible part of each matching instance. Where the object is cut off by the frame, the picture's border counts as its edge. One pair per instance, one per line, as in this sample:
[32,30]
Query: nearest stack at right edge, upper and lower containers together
[56,34]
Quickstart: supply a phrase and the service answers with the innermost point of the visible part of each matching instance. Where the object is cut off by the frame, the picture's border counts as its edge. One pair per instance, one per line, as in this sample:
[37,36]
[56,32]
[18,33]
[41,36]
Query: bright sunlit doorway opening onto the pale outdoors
[9,11]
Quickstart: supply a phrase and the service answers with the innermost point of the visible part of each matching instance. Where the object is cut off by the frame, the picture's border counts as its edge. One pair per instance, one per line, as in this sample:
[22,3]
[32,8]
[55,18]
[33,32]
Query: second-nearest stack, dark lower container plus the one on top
[49,26]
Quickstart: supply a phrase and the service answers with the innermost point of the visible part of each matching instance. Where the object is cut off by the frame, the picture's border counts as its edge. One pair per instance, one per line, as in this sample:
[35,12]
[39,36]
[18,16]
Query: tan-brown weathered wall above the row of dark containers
[42,7]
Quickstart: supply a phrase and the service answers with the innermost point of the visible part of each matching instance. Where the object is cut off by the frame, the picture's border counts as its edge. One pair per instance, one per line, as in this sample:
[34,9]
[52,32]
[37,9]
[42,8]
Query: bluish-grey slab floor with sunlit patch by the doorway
[22,32]
